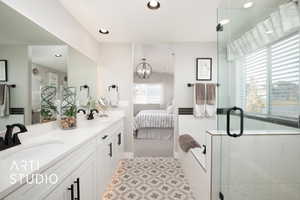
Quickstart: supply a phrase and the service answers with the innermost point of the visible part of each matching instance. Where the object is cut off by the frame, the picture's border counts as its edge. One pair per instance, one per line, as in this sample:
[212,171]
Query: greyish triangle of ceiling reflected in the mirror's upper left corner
[16,29]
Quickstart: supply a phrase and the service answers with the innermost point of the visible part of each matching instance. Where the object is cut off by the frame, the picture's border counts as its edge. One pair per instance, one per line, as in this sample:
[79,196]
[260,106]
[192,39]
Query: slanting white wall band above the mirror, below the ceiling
[54,18]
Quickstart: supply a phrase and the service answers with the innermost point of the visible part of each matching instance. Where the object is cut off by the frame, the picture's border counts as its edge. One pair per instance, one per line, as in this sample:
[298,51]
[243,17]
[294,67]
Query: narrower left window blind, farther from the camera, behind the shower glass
[255,96]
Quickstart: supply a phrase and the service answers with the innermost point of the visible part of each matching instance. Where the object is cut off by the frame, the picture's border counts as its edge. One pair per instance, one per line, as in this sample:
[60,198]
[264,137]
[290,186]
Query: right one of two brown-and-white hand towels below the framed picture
[210,100]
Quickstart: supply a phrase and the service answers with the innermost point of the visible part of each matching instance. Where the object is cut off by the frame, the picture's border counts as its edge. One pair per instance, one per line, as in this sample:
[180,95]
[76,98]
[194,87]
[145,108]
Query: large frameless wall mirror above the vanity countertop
[36,65]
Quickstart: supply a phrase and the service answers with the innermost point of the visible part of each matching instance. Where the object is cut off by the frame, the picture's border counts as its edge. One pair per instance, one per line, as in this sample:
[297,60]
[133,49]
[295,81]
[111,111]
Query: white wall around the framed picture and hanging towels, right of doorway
[184,73]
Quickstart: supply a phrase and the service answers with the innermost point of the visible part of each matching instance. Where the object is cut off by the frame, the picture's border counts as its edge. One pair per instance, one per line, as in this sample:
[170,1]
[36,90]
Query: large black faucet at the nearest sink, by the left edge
[11,139]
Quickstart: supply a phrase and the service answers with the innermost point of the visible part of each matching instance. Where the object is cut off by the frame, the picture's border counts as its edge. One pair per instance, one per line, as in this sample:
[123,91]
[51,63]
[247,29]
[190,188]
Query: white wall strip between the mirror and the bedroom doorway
[117,68]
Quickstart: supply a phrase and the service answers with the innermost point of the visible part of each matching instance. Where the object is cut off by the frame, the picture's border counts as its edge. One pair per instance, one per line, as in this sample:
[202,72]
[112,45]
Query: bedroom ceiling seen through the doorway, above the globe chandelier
[159,56]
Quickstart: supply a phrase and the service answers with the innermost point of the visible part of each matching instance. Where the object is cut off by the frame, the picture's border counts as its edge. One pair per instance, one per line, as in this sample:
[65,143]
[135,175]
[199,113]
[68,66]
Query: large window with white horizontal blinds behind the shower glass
[272,79]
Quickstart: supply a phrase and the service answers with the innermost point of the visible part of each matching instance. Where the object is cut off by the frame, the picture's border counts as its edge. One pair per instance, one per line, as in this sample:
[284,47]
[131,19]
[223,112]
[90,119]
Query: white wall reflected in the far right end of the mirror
[82,71]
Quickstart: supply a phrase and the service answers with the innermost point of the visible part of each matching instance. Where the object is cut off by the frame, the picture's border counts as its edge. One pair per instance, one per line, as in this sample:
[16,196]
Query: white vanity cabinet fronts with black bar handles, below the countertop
[83,174]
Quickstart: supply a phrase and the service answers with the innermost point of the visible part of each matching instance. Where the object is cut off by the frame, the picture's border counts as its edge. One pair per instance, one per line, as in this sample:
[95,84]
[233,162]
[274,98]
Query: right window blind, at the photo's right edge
[285,91]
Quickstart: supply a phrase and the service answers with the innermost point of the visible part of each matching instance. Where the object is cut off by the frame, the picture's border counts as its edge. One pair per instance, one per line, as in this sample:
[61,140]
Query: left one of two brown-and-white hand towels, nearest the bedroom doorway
[199,100]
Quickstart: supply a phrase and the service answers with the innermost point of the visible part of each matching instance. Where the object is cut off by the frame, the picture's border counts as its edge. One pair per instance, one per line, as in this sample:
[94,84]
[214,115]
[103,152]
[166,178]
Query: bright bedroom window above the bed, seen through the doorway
[147,93]
